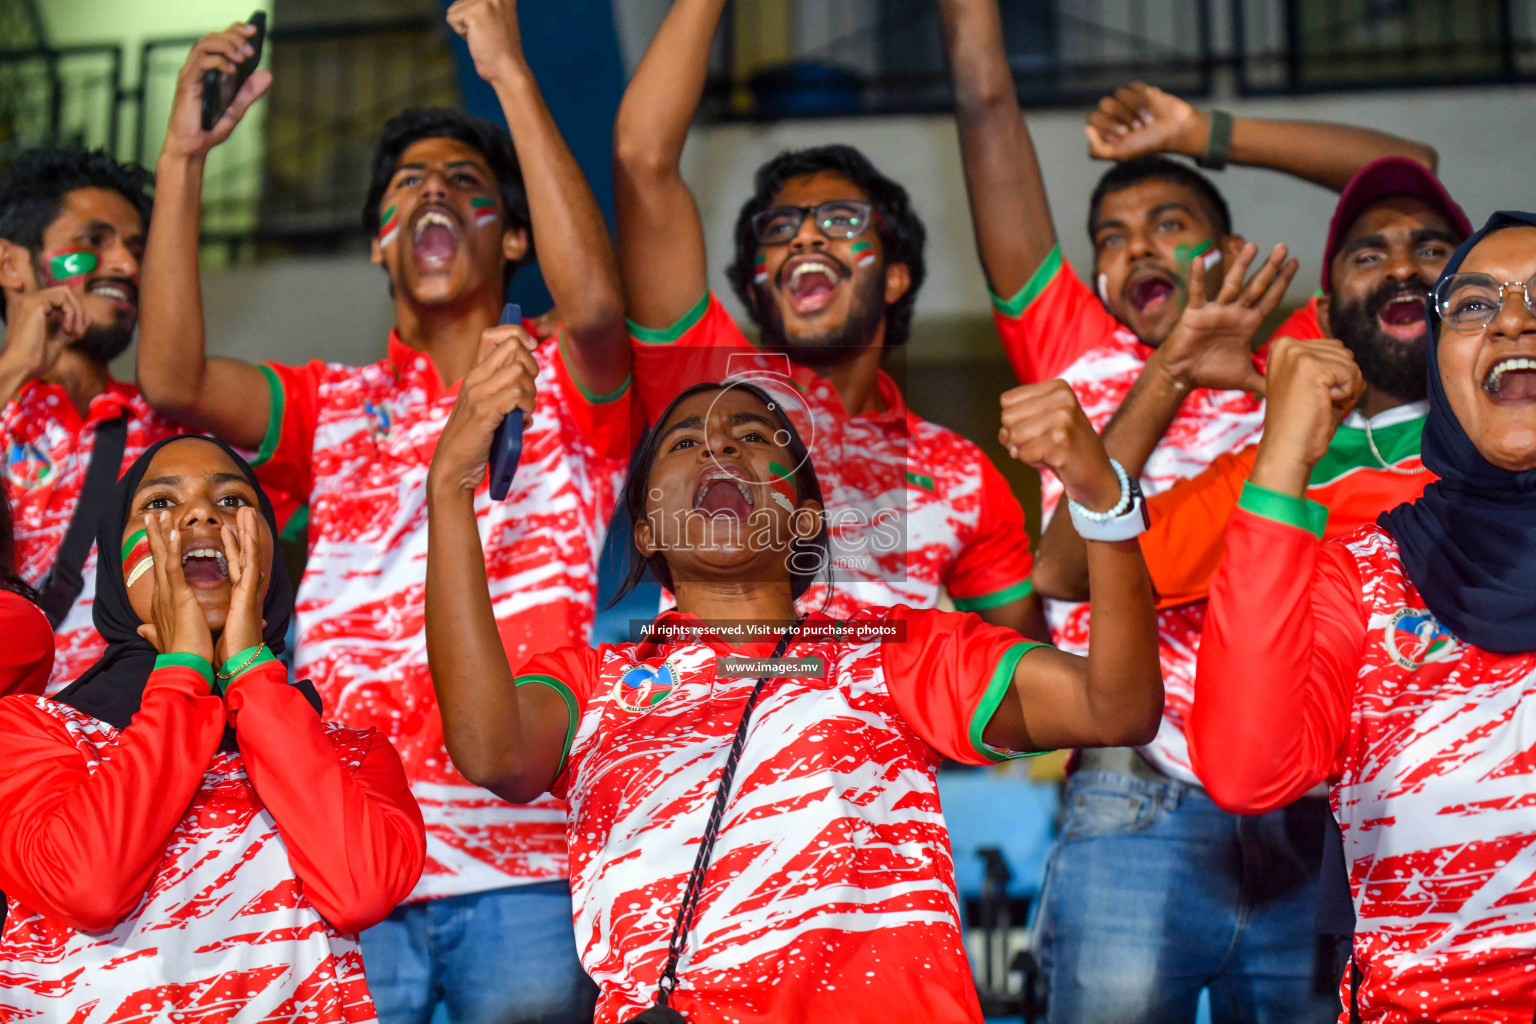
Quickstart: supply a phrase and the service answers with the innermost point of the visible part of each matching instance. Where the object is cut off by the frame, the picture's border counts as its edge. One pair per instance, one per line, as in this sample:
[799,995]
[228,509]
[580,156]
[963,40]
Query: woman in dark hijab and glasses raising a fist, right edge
[1399,664]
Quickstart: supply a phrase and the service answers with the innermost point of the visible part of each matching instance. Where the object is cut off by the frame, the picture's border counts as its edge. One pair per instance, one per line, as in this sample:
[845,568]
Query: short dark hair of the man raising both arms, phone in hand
[439,122]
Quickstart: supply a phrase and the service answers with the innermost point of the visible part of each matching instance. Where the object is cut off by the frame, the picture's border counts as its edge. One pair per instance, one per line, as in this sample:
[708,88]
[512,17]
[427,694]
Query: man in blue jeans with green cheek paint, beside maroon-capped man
[1139,828]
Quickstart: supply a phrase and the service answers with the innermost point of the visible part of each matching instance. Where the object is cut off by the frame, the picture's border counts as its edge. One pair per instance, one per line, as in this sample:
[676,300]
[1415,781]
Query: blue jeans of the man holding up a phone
[500,957]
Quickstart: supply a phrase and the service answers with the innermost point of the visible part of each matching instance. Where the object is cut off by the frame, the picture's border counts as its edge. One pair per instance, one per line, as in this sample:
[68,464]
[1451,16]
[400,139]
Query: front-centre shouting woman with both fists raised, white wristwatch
[752,801]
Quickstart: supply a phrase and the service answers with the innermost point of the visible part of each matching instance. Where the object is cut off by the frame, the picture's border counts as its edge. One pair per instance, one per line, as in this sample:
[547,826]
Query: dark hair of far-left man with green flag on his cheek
[35,188]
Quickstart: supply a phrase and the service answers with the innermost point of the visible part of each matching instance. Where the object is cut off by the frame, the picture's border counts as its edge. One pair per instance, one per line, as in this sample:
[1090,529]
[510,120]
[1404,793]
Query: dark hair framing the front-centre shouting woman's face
[638,483]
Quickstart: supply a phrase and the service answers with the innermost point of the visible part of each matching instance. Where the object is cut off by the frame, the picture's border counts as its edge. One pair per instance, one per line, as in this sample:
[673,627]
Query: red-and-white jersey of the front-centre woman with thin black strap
[830,894]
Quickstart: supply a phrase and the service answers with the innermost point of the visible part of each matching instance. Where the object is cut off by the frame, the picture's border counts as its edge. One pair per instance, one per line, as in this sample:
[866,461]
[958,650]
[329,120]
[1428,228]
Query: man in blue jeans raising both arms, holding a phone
[488,931]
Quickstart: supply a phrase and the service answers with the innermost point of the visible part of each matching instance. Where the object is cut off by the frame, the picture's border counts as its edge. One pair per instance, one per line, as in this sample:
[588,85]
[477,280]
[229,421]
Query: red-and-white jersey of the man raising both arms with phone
[359,443]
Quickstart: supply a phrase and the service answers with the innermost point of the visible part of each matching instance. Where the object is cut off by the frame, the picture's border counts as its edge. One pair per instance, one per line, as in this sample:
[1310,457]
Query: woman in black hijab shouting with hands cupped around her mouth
[176,836]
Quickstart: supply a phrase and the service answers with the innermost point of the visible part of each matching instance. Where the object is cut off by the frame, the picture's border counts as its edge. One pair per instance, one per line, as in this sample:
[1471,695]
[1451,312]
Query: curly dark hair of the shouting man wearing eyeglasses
[902,233]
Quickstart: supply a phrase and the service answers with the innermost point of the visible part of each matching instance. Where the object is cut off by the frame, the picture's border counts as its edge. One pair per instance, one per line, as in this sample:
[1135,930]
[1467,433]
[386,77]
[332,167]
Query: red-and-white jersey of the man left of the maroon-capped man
[1058,328]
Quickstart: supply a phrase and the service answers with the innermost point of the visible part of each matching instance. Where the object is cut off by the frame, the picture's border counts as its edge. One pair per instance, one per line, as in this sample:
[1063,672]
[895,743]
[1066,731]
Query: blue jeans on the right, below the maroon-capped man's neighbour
[1154,893]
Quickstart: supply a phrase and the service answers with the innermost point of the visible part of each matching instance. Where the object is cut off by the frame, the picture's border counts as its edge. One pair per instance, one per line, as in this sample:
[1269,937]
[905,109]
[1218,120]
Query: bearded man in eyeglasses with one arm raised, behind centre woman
[829,262]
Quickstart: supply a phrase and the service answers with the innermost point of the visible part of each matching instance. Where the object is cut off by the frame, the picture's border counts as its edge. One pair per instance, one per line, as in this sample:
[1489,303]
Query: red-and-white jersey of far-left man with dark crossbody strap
[47,455]
